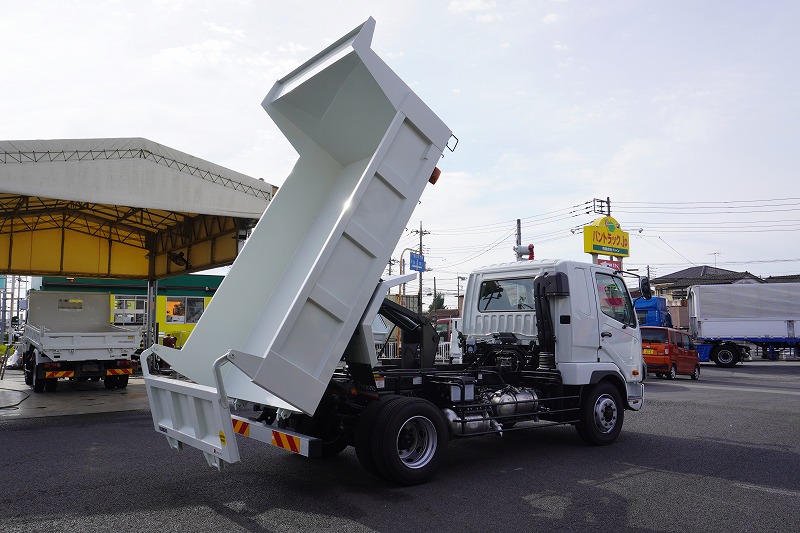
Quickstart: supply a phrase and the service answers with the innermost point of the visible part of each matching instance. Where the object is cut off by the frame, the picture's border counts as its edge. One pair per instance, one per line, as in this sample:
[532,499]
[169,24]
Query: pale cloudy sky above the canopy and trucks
[683,113]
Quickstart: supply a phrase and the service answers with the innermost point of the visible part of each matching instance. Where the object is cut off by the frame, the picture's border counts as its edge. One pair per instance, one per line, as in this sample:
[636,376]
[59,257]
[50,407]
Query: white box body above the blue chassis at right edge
[742,311]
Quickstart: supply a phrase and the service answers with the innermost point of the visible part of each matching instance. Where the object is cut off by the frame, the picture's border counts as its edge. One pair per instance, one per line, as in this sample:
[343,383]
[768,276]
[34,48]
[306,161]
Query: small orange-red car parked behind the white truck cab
[669,352]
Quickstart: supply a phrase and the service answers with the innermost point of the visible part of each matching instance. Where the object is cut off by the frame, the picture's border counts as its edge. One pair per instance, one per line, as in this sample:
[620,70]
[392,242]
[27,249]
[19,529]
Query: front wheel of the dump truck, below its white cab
[602,414]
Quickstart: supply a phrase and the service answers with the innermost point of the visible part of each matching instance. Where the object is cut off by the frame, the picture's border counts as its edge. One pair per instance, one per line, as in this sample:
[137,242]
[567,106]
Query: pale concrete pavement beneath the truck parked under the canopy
[17,400]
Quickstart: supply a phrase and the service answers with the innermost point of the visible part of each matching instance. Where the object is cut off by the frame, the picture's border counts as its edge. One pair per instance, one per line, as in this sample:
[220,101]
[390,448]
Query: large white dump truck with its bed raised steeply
[290,328]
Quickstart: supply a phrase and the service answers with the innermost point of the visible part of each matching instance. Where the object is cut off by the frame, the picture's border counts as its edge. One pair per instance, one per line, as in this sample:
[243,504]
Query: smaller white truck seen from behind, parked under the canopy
[68,335]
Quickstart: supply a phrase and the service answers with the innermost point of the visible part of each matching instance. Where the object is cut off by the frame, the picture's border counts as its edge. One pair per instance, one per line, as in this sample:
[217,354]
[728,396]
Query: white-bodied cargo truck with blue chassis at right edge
[726,319]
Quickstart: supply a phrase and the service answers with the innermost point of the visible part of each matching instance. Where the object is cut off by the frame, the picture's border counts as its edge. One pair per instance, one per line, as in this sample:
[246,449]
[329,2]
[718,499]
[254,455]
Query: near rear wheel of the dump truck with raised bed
[409,442]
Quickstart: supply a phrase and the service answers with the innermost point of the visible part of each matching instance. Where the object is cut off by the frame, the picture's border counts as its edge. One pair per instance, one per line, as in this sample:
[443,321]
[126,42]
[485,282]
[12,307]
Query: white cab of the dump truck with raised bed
[590,330]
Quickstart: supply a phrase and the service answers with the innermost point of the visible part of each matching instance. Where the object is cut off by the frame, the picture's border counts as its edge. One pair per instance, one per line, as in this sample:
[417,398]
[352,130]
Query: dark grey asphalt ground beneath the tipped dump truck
[715,455]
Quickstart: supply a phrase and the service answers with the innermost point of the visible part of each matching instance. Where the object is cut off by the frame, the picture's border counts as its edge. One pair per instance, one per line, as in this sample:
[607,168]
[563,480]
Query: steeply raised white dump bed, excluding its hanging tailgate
[288,307]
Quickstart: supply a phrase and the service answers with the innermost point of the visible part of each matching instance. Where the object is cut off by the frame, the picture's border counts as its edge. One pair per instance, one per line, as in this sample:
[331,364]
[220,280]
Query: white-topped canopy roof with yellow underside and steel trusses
[120,208]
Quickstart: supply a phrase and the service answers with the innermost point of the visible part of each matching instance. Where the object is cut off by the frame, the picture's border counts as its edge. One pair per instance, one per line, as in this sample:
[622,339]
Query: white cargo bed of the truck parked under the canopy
[69,326]
